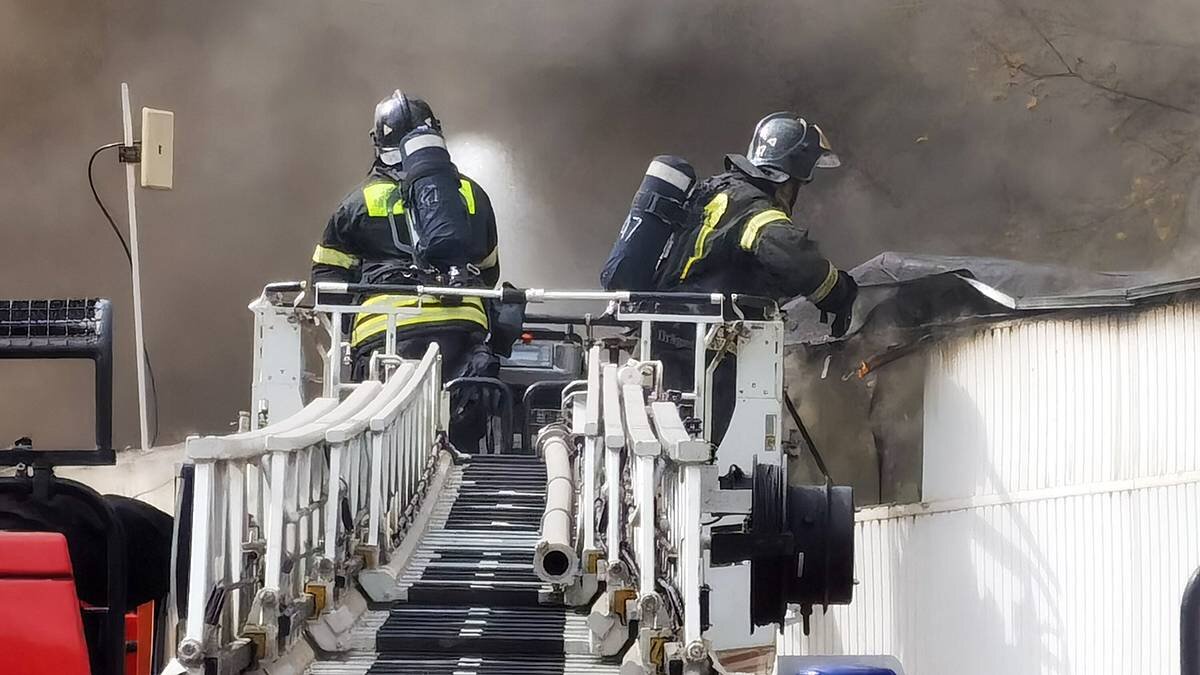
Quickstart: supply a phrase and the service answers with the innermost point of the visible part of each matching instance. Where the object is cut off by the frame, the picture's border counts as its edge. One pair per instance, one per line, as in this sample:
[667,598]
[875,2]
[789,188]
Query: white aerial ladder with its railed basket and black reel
[343,534]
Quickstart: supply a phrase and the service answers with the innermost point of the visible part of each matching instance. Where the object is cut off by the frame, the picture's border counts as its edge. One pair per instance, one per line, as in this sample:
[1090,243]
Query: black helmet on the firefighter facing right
[791,147]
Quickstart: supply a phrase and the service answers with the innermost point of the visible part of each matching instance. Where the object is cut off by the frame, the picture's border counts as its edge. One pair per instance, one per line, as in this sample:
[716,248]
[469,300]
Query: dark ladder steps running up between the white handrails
[473,602]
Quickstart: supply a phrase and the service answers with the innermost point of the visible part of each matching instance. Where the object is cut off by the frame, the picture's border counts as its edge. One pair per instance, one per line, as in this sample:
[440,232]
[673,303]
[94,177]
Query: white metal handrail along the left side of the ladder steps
[269,537]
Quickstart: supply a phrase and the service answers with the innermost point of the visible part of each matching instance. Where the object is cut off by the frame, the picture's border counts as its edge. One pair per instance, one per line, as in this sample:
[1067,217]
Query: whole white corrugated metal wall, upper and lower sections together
[1063,489]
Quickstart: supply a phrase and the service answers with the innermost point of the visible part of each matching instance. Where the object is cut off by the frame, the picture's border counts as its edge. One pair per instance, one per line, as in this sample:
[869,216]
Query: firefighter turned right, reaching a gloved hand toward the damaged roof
[739,237]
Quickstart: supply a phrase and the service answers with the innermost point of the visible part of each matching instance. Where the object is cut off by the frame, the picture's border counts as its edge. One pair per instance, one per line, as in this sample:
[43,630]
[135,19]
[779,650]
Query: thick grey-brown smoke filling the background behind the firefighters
[1059,132]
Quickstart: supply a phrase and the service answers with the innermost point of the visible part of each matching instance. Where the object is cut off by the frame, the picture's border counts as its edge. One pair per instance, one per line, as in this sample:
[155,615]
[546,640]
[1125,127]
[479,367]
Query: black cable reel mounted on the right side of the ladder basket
[800,542]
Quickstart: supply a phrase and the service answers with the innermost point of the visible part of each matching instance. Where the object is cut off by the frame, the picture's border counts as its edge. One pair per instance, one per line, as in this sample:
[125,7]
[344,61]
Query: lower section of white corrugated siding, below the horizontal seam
[1082,586]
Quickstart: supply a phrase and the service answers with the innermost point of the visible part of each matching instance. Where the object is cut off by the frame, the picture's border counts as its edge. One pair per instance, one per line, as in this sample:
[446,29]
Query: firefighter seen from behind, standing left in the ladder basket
[370,240]
